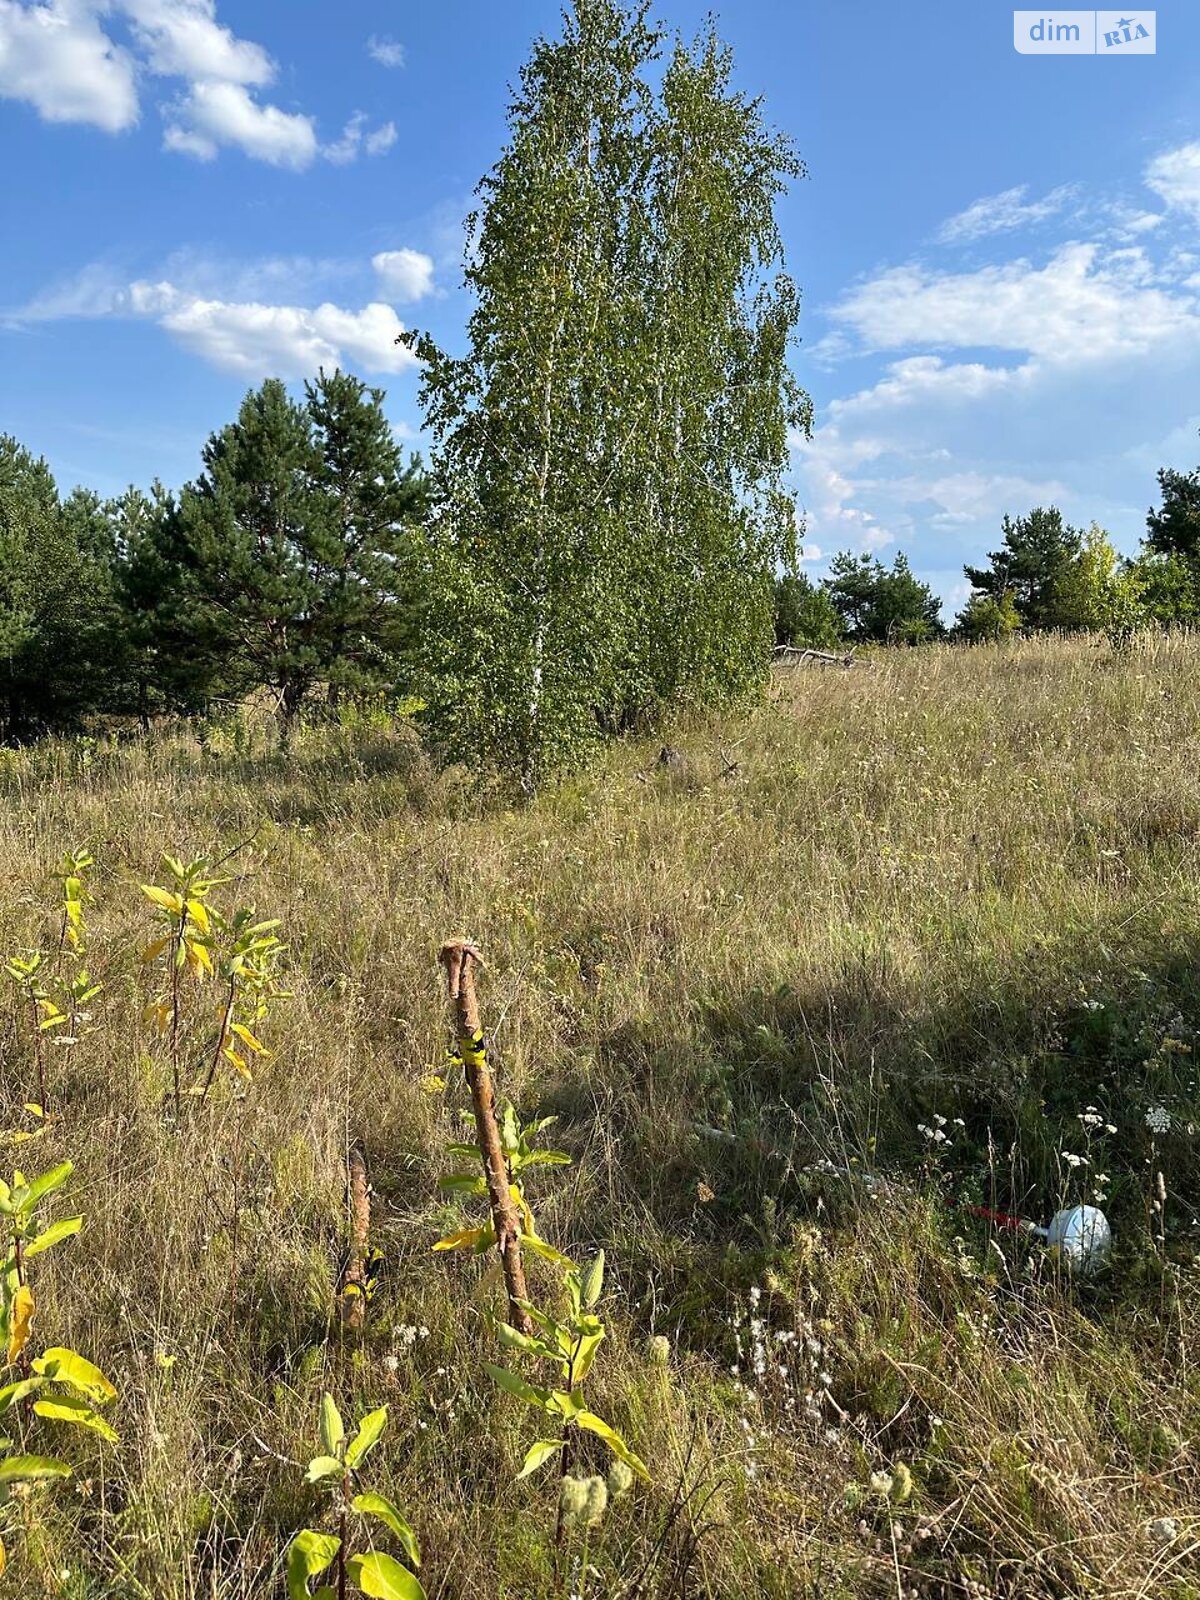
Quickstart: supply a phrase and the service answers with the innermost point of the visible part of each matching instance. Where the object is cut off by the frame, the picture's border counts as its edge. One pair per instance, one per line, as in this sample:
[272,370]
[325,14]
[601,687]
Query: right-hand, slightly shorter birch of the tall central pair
[721,316]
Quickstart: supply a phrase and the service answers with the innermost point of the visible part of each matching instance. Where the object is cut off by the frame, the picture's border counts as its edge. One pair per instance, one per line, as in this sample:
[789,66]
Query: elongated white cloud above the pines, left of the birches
[286,342]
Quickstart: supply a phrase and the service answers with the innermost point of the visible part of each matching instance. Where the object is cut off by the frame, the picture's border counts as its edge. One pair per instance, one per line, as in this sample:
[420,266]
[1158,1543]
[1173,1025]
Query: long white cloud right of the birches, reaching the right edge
[1082,306]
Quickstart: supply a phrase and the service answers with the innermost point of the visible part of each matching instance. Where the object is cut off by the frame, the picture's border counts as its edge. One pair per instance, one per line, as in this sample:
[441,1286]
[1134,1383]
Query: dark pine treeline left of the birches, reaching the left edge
[292,562]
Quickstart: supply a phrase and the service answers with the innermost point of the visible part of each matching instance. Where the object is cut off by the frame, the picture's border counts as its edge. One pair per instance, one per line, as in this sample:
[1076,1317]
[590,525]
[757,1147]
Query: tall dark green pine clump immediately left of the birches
[290,562]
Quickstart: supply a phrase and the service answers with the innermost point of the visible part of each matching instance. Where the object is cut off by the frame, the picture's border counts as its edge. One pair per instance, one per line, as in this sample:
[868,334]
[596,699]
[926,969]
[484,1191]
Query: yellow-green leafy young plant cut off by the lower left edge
[58,1386]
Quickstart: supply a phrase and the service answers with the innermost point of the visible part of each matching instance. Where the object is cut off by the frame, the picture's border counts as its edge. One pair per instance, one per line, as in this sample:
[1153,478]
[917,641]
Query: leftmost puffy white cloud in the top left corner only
[58,60]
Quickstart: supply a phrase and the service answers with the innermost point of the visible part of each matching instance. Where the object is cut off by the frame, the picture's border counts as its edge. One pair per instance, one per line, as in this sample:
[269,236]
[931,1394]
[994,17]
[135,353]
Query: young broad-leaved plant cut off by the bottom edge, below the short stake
[311,1554]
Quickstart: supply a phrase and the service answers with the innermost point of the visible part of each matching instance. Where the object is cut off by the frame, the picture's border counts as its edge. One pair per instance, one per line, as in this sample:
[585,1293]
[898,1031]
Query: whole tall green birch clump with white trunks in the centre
[609,450]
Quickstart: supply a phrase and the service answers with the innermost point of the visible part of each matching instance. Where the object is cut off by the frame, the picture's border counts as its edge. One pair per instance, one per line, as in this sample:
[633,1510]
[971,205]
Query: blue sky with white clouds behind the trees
[999,254]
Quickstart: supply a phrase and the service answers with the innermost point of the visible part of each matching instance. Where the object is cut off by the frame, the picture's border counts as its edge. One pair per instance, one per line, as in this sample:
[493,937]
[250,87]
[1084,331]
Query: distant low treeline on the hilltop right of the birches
[1046,577]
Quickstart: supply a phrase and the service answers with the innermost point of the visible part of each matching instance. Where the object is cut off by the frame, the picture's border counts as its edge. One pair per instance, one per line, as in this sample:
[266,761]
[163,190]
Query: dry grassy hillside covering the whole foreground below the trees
[943,886]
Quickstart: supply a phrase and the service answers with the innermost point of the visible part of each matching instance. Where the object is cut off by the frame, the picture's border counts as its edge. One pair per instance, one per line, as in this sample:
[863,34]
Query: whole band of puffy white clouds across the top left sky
[57,57]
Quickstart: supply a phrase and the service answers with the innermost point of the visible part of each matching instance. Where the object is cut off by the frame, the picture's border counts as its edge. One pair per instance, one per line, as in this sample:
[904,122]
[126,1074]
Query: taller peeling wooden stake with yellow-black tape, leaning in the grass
[458,959]
